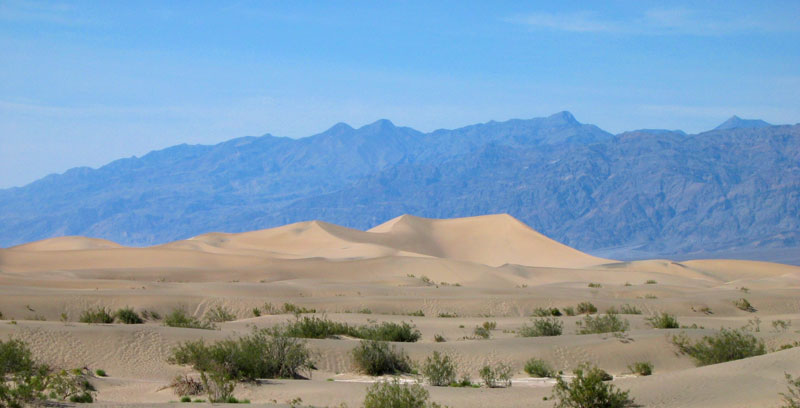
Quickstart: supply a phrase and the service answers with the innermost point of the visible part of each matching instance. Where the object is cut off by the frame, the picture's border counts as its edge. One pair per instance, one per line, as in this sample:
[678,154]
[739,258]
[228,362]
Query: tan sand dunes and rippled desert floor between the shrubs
[490,268]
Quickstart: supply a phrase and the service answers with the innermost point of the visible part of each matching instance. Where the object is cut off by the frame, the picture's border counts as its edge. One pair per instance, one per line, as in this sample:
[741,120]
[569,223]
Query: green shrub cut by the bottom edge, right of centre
[587,390]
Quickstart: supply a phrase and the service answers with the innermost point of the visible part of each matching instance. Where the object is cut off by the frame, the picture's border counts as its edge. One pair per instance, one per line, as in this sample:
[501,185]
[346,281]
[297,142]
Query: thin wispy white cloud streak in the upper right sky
[656,21]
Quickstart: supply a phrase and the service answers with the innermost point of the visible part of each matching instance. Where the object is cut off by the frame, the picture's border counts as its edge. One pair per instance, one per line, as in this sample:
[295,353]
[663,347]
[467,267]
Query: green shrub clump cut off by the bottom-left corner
[25,382]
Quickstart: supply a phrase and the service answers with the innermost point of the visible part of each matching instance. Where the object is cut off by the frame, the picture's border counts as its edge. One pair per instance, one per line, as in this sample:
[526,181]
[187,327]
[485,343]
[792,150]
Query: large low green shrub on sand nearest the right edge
[727,345]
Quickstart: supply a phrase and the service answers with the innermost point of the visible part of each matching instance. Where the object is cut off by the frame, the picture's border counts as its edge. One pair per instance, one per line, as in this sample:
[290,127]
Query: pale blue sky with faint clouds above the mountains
[83,83]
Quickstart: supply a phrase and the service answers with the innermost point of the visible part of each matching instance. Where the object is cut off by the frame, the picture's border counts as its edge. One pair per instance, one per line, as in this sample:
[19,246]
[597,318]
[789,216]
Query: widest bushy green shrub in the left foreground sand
[264,353]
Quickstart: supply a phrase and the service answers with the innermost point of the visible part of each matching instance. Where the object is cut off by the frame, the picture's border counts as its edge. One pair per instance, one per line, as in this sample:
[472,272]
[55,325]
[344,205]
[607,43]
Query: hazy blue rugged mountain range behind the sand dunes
[735,187]
